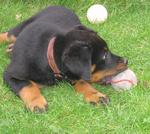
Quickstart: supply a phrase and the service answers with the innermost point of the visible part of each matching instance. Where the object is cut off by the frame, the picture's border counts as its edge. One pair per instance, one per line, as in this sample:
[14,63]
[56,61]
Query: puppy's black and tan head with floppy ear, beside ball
[88,57]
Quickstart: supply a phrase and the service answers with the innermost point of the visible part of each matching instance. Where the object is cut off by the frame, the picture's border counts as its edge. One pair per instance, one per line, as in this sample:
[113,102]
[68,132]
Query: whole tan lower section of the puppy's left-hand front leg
[32,98]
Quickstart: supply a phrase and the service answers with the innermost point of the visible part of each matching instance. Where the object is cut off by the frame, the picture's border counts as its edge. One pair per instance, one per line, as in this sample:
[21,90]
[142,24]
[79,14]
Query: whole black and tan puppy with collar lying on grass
[54,45]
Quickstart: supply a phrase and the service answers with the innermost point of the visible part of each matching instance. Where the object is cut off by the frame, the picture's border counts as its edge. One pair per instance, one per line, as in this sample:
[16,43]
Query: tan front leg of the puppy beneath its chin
[90,94]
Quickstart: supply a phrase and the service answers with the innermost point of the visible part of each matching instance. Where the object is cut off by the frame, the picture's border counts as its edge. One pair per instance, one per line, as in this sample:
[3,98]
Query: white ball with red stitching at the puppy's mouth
[124,80]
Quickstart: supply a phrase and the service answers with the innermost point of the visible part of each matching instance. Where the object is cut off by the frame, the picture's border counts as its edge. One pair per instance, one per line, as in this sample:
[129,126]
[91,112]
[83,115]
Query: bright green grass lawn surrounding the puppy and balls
[127,31]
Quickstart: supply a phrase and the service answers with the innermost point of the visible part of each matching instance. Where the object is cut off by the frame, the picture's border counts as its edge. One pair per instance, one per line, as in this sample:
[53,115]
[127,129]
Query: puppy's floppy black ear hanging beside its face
[77,58]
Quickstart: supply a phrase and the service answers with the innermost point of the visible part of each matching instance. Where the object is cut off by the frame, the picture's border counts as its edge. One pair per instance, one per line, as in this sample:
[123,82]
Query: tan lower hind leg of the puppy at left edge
[4,37]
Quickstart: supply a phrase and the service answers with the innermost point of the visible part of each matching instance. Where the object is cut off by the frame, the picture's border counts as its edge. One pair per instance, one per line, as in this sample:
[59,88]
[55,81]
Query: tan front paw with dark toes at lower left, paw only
[38,105]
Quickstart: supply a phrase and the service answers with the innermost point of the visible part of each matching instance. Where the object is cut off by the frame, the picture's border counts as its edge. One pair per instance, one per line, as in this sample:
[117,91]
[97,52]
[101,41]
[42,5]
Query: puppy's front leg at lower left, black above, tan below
[29,92]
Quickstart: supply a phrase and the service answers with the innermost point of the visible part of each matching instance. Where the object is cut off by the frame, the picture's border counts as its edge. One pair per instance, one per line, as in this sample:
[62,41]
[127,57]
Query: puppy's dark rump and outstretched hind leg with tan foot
[64,18]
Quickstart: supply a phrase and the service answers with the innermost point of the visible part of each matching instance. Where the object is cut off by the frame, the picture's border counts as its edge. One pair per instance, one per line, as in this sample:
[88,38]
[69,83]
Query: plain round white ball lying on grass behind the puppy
[97,14]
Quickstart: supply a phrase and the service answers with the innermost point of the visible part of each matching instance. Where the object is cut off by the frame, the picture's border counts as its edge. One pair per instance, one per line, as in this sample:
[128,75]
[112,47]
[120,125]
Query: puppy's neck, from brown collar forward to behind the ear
[55,51]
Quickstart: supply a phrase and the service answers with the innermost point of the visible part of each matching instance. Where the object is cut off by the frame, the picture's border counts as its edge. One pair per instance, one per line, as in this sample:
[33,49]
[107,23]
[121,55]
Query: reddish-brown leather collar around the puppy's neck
[51,60]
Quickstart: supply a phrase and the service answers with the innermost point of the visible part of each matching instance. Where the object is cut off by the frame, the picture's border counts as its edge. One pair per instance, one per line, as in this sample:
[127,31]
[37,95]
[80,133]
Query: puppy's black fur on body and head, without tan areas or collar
[76,49]
